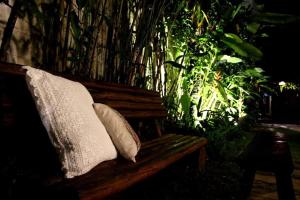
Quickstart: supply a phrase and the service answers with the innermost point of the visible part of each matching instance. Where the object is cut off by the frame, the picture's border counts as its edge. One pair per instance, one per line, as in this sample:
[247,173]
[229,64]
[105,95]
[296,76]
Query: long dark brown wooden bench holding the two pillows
[34,161]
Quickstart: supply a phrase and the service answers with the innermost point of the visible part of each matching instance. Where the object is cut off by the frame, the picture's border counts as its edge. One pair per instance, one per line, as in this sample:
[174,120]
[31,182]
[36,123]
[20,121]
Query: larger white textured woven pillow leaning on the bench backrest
[73,127]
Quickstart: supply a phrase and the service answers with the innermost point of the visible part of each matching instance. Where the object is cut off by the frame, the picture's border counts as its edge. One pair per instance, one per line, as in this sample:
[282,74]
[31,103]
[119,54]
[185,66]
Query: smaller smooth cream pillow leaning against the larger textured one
[120,131]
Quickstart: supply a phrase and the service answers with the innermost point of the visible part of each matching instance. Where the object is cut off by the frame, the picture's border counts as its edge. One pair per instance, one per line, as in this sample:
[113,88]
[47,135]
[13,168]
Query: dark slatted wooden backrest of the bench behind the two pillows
[21,128]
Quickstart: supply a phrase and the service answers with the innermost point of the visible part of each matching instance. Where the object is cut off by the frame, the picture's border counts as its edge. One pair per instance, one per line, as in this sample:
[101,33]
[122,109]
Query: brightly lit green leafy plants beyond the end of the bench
[214,63]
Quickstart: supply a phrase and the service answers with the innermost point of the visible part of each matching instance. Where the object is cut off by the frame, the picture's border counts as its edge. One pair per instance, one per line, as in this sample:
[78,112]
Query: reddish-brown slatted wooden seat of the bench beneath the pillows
[116,175]
